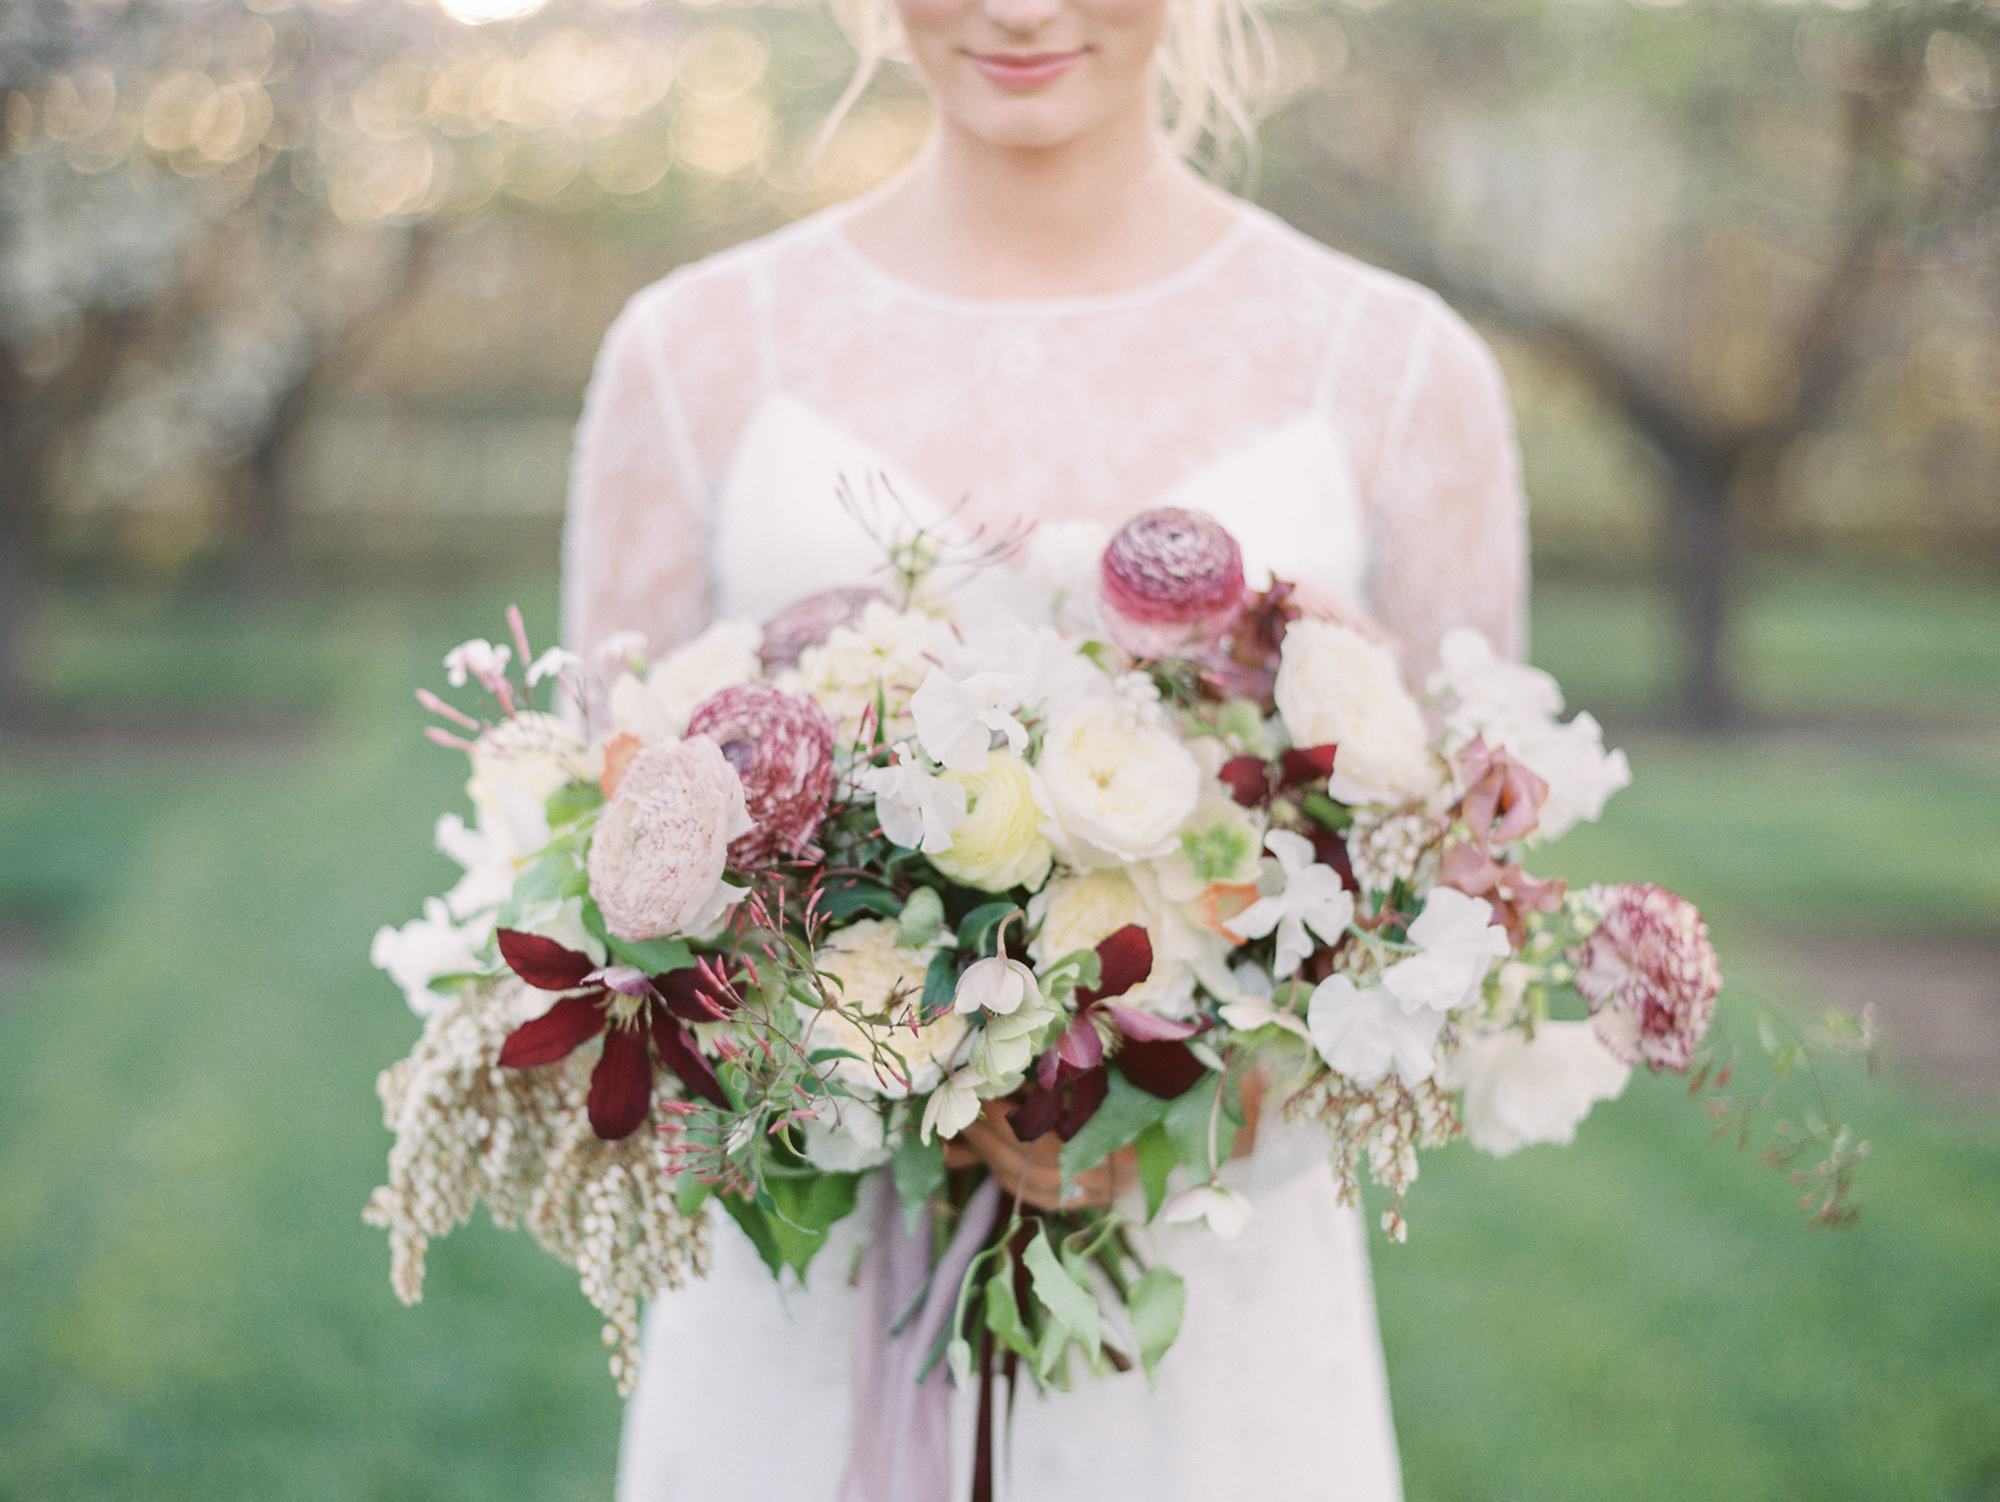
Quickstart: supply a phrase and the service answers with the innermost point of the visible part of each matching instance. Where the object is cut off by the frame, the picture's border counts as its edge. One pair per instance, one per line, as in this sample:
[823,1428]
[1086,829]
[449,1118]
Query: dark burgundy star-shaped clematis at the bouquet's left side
[625,1005]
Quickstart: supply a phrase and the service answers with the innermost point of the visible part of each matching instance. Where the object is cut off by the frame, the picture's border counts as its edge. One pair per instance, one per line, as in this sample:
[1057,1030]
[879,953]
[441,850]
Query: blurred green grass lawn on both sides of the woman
[195,1311]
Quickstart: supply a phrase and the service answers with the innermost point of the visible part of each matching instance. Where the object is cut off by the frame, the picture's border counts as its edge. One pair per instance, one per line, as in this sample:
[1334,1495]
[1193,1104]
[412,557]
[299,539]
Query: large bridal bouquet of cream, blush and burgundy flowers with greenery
[1065,867]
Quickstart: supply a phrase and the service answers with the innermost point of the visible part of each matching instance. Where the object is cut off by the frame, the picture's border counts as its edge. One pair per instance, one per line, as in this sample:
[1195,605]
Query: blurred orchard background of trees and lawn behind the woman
[297,303]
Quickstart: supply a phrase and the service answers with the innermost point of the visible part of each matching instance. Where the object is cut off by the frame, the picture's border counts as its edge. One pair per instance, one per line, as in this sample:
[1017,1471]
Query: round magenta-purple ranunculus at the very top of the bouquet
[1171,579]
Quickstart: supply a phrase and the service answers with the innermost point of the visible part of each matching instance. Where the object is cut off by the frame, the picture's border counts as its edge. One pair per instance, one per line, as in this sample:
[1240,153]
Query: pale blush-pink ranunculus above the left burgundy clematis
[663,841]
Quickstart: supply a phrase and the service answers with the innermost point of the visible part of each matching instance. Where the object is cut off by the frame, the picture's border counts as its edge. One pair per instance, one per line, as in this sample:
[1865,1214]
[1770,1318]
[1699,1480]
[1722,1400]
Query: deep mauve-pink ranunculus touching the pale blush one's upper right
[783,749]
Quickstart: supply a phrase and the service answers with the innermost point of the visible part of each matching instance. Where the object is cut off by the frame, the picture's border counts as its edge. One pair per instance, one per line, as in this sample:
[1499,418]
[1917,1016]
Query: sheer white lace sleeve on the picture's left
[635,537]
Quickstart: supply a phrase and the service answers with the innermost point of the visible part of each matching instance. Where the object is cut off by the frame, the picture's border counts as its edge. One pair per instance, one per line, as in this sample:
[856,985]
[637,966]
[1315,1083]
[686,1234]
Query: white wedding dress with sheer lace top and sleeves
[1353,435]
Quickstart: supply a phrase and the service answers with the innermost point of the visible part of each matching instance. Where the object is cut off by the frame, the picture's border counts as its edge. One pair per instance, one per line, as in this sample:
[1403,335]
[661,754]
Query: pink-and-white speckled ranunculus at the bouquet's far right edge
[1651,977]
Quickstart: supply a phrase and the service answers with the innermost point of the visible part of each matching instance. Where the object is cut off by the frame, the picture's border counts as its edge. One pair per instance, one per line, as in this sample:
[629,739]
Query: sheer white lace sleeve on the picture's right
[1445,507]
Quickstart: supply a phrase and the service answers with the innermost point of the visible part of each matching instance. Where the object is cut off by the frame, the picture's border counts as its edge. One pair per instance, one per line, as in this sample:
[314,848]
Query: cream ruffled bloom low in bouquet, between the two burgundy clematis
[885,983]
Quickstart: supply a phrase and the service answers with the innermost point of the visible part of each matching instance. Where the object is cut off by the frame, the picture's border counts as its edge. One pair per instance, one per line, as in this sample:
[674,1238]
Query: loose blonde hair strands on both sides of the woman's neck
[1215,59]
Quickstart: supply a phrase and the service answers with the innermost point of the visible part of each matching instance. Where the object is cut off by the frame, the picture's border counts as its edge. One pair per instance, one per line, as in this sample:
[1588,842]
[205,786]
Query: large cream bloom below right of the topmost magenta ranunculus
[1339,689]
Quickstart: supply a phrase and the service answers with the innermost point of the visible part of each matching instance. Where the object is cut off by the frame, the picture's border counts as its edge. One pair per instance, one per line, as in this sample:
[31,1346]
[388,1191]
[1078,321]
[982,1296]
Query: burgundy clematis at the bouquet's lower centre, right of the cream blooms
[1073,1079]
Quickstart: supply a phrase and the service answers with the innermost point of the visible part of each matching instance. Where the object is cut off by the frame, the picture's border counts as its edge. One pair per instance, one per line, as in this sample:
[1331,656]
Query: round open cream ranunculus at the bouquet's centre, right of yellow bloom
[1121,783]
